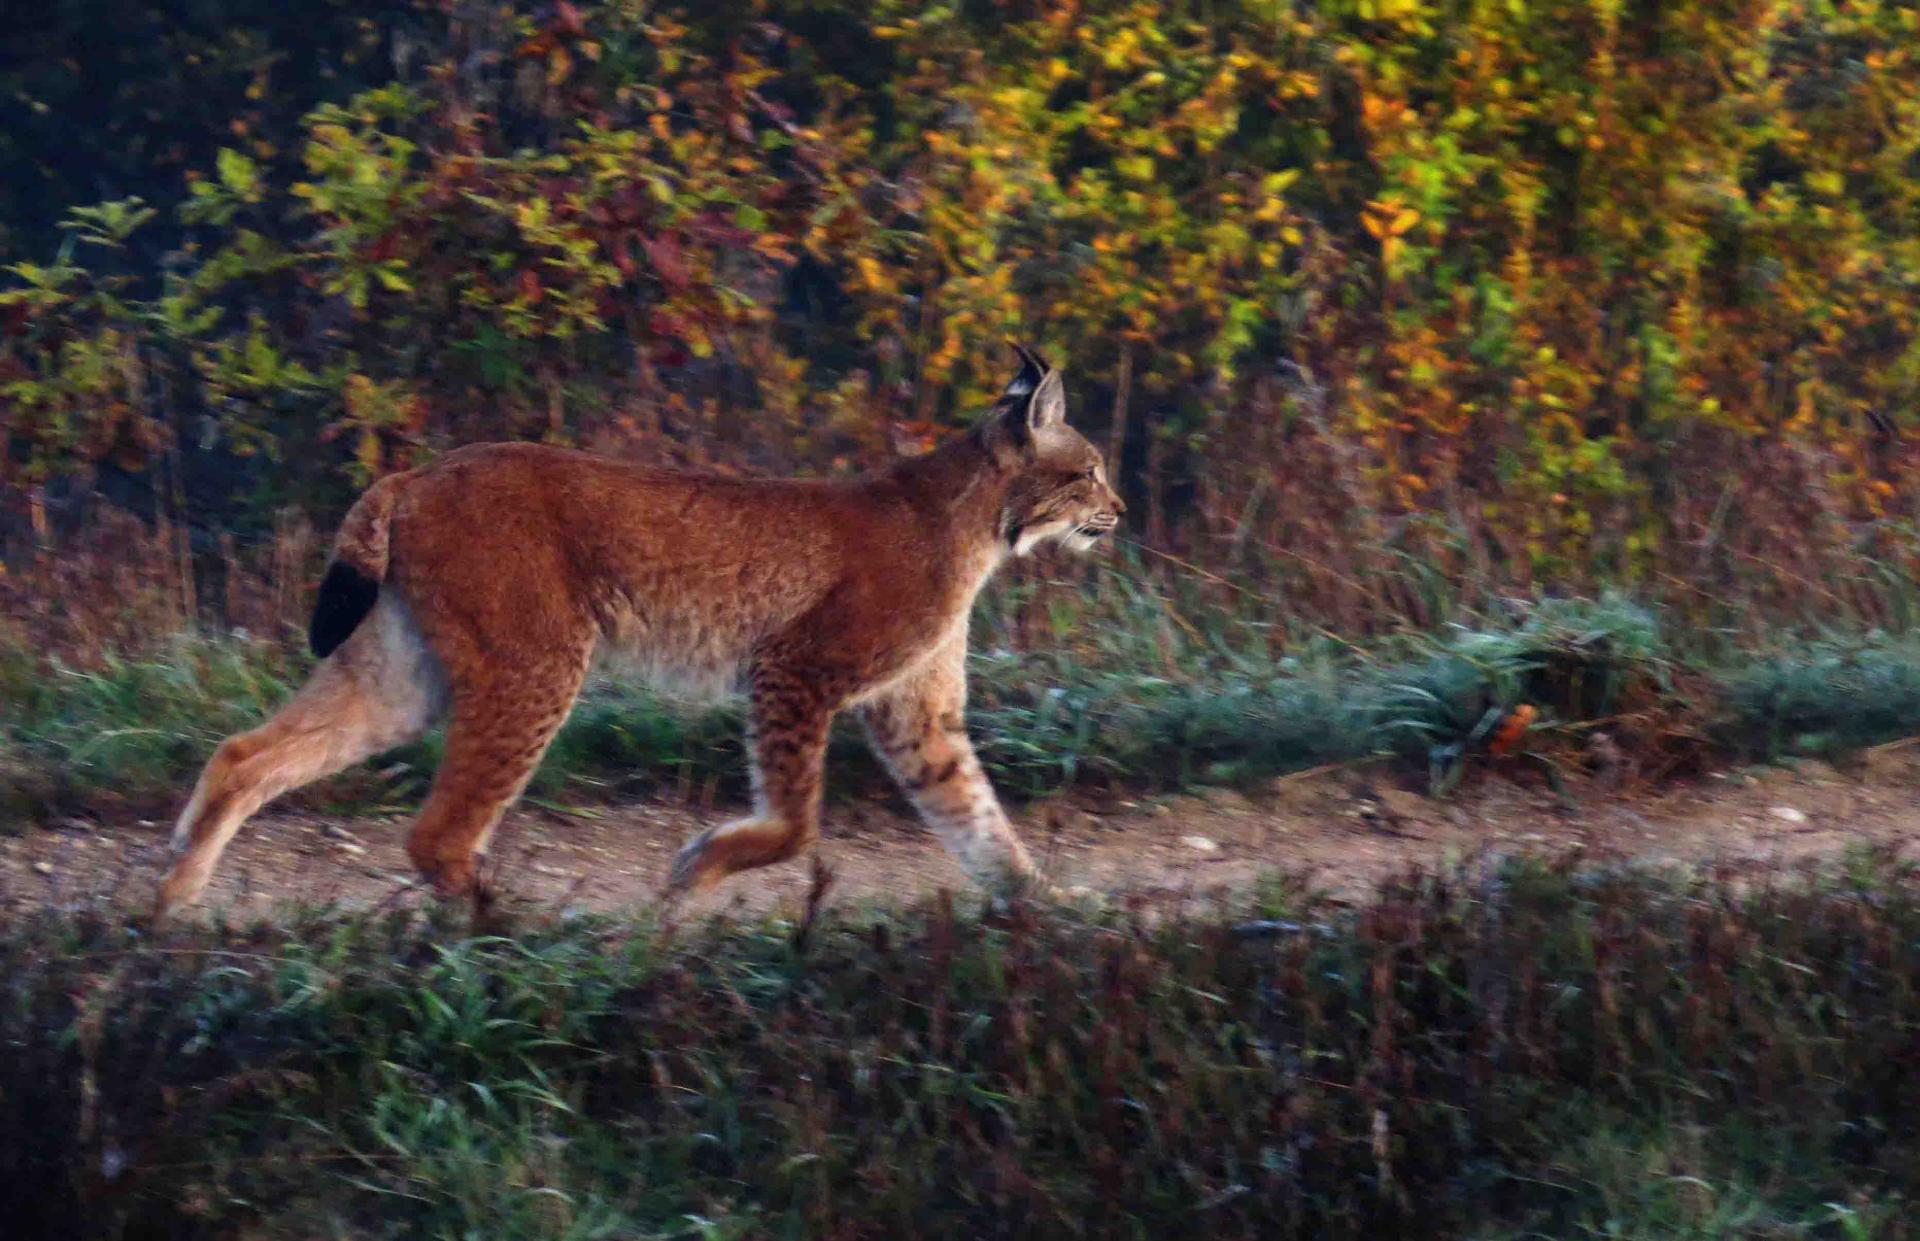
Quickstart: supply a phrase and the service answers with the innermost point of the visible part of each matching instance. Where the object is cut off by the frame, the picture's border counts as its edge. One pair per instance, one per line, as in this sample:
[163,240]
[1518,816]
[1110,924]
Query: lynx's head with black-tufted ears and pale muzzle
[1059,489]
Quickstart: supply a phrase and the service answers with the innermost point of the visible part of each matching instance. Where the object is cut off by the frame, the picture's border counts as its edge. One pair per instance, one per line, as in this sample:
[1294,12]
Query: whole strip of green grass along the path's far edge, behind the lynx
[1116,685]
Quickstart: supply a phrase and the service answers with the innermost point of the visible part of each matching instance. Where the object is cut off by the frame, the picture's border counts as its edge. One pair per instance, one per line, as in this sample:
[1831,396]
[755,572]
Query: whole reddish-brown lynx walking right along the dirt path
[481,587]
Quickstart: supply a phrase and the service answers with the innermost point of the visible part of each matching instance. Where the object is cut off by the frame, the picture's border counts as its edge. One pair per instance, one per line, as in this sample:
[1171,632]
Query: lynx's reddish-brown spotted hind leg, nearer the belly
[498,731]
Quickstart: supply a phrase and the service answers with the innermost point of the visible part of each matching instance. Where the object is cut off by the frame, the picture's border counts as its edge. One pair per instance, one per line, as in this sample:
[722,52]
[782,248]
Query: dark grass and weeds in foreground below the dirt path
[1522,1052]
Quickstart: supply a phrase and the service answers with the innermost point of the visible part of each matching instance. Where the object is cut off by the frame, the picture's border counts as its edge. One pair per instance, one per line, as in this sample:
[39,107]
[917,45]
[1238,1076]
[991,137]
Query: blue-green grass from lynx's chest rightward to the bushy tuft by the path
[1228,716]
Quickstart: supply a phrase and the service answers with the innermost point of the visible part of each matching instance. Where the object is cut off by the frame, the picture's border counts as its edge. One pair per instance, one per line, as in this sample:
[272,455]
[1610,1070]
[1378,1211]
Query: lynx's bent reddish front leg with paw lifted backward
[788,742]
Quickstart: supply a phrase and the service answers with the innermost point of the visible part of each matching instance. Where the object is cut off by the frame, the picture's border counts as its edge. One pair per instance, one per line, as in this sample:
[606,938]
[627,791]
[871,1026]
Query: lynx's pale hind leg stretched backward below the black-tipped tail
[377,693]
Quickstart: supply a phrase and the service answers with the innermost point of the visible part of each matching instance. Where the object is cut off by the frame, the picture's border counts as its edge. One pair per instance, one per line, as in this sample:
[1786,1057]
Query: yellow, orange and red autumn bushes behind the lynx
[1358,293]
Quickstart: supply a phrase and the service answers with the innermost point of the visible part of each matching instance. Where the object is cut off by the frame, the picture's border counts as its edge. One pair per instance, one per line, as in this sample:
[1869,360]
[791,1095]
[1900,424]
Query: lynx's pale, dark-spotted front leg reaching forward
[919,731]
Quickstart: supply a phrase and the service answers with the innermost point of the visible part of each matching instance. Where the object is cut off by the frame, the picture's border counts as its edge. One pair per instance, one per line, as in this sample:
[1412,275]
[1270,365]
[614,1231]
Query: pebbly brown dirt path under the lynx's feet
[1347,829]
